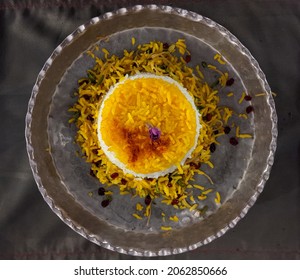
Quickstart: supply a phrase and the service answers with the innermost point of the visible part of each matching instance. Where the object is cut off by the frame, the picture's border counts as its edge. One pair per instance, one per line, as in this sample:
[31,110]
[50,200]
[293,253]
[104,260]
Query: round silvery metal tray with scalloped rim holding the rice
[63,178]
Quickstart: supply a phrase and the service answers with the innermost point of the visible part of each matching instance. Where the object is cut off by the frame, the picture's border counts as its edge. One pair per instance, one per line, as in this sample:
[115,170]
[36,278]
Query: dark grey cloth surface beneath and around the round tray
[29,32]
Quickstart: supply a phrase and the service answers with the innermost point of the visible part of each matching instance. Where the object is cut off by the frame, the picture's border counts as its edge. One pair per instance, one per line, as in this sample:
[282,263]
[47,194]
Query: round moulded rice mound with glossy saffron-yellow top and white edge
[134,105]
